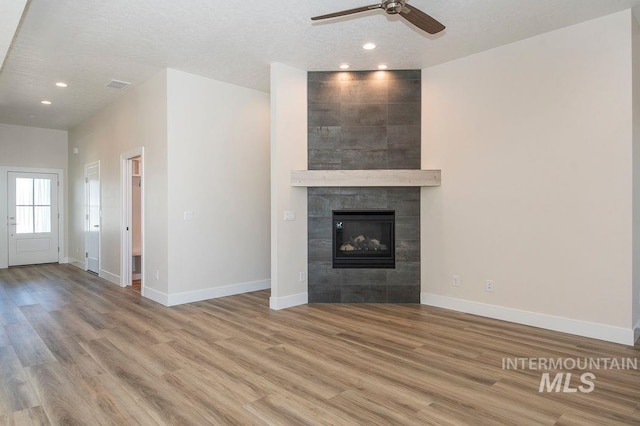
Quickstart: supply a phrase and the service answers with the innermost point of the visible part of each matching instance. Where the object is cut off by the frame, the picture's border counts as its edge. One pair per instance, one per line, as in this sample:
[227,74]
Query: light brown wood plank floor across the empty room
[75,349]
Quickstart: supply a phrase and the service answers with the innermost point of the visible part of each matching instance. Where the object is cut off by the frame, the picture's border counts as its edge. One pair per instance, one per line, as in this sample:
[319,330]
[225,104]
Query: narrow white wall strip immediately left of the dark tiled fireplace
[288,152]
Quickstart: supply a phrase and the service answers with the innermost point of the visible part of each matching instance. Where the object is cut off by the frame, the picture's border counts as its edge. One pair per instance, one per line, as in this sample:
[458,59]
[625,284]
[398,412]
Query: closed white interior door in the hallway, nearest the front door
[92,234]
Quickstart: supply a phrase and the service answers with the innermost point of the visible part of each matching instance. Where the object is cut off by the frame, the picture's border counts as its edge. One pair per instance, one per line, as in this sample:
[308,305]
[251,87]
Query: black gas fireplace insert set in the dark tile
[364,239]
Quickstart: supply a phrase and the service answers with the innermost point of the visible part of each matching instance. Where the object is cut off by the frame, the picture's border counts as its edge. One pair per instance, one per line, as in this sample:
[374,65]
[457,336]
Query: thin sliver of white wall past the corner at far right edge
[636,175]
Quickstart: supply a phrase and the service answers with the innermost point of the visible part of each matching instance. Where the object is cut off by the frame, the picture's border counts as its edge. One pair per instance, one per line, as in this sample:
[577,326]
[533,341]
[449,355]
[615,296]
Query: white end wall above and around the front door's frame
[34,148]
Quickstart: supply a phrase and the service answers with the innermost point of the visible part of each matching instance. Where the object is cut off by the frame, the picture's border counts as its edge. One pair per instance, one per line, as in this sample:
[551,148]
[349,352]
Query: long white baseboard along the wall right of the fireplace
[605,332]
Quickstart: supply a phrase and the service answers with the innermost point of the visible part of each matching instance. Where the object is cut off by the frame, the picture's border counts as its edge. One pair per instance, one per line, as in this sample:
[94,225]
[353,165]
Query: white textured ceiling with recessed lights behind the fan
[87,43]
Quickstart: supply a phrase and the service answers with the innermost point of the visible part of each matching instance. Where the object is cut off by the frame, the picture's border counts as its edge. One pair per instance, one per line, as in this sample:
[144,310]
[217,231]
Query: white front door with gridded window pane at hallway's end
[33,218]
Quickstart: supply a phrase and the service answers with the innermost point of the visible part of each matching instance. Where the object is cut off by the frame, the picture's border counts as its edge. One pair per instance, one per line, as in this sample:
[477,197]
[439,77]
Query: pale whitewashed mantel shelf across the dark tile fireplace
[359,178]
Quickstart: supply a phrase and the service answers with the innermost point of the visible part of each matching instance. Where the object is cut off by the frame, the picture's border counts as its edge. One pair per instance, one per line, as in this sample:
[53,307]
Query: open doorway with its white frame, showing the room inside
[132,273]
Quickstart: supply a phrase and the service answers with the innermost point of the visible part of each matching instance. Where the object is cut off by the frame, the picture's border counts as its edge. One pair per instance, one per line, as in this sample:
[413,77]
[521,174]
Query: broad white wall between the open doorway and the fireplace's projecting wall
[218,165]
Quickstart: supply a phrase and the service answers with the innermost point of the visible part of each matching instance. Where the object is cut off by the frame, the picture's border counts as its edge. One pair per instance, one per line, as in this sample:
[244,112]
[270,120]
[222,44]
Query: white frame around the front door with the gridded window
[4,210]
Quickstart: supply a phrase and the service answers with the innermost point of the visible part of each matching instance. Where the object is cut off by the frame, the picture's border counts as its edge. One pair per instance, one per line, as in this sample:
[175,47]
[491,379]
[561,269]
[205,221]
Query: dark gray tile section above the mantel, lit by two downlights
[364,120]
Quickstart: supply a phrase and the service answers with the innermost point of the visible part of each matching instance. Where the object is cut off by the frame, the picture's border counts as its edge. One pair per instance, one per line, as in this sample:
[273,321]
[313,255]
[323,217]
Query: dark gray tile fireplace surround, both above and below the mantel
[360,121]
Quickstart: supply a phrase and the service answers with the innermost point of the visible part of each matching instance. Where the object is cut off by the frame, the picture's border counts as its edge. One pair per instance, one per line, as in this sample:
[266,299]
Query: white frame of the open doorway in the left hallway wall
[126,173]
